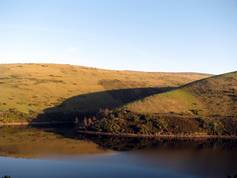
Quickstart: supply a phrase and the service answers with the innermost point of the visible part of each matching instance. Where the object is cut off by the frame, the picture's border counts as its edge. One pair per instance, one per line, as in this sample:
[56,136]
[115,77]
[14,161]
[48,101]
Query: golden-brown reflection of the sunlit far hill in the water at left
[33,142]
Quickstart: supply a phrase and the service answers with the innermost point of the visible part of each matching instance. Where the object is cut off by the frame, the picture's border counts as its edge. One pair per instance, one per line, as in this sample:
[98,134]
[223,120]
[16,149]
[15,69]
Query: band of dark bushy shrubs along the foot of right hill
[124,121]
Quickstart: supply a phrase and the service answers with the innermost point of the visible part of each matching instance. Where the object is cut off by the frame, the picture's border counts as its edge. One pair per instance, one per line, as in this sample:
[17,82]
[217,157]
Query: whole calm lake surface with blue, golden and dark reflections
[56,154]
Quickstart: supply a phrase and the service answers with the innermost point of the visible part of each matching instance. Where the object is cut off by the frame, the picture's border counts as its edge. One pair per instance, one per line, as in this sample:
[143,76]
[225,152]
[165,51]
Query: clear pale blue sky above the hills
[148,35]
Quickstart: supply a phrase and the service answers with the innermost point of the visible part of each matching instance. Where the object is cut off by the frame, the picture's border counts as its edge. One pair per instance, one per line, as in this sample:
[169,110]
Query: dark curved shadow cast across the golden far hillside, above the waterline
[87,105]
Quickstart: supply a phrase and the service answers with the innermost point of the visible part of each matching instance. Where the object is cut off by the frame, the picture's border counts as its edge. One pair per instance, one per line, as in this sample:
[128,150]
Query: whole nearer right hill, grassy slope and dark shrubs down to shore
[207,106]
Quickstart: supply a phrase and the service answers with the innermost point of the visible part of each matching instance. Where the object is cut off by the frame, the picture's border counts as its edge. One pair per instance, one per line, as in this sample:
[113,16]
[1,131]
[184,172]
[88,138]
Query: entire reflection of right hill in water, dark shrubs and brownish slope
[201,158]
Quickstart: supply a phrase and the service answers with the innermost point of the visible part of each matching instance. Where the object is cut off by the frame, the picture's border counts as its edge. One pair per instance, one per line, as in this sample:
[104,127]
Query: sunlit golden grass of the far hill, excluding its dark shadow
[33,87]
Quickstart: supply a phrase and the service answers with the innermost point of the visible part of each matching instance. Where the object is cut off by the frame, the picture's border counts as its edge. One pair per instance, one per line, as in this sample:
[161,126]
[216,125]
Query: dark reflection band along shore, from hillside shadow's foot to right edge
[129,144]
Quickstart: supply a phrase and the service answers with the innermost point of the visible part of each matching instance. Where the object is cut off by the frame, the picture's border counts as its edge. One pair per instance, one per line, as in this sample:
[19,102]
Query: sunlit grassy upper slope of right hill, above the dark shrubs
[214,96]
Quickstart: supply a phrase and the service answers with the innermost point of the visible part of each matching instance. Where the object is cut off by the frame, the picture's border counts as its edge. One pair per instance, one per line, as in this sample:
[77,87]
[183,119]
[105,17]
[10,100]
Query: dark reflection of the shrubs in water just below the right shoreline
[127,144]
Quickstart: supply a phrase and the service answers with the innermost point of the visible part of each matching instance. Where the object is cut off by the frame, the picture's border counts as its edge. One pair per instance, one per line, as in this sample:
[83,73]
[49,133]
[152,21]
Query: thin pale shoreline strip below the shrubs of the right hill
[160,136]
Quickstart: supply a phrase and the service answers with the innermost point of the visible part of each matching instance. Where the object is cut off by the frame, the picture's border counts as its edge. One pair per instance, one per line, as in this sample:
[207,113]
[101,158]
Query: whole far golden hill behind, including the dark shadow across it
[29,89]
